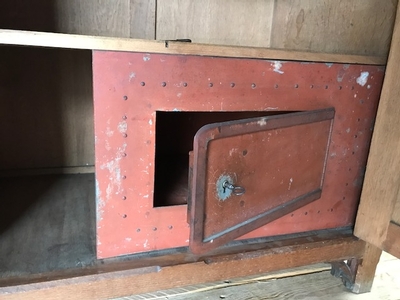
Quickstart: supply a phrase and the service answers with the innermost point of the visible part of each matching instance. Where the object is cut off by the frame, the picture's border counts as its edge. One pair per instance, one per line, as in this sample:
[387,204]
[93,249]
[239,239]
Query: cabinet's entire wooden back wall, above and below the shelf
[47,113]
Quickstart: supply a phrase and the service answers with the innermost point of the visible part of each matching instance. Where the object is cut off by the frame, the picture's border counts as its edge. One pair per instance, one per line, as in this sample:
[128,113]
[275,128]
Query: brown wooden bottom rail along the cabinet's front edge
[190,273]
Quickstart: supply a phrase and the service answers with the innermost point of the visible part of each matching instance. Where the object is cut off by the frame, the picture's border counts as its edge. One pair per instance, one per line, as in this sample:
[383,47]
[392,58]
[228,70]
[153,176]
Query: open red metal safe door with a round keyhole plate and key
[249,172]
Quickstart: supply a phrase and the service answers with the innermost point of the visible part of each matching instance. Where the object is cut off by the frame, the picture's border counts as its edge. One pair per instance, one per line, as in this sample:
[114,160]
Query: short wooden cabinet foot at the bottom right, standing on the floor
[358,274]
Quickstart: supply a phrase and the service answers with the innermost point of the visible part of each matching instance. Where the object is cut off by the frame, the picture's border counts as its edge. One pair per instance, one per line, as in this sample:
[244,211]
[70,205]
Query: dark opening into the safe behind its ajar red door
[174,140]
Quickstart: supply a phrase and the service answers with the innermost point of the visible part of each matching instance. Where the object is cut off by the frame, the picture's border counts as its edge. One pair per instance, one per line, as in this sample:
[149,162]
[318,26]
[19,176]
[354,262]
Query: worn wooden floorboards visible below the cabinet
[312,283]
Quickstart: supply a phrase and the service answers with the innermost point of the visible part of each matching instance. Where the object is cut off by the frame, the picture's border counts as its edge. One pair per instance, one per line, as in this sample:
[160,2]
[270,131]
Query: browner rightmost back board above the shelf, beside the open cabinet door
[357,26]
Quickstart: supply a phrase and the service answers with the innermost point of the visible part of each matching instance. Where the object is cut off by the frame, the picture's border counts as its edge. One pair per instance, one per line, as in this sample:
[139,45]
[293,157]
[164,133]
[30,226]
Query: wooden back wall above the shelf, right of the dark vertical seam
[351,27]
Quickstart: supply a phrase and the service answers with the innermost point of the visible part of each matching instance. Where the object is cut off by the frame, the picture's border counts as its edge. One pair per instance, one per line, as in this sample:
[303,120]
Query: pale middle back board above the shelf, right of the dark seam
[231,22]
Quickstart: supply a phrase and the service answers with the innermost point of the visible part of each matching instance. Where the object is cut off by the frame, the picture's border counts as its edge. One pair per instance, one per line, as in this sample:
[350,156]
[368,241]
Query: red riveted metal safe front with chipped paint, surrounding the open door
[130,87]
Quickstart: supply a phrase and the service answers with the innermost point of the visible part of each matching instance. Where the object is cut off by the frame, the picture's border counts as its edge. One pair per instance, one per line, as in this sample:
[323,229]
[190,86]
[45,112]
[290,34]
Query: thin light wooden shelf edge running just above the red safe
[73,41]
